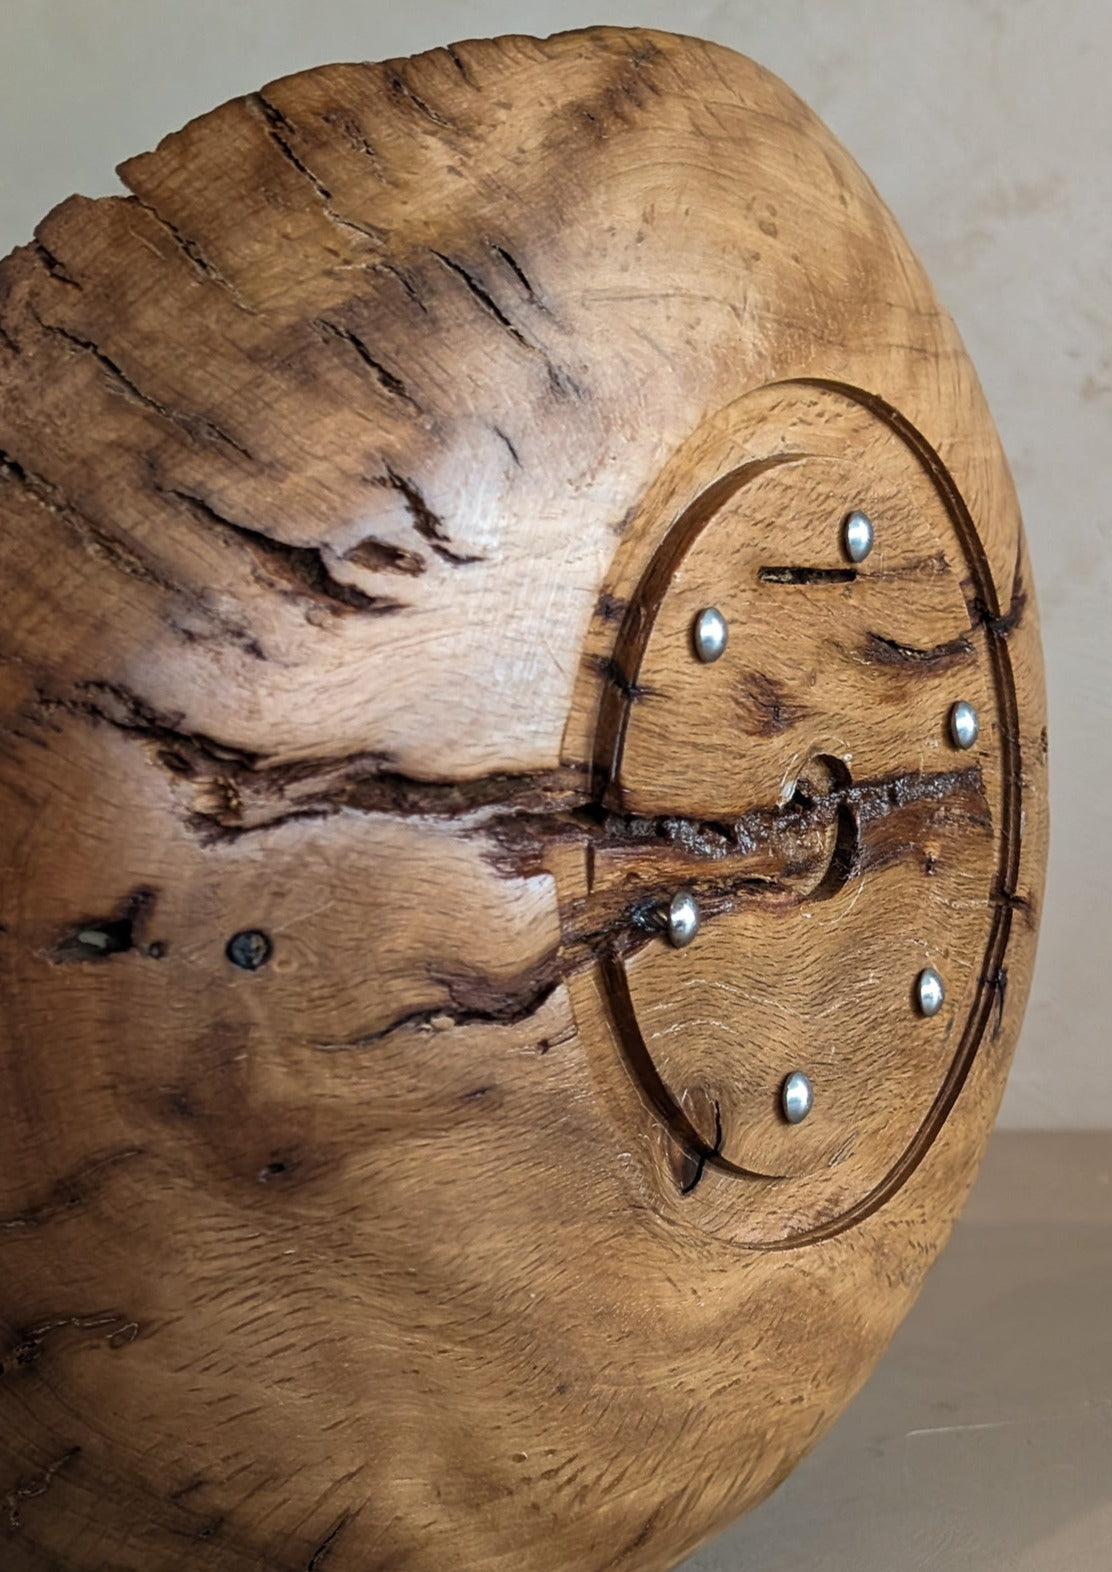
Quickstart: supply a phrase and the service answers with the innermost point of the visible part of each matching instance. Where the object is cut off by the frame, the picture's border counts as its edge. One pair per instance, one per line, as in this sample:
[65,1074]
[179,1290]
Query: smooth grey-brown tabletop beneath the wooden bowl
[984,1442]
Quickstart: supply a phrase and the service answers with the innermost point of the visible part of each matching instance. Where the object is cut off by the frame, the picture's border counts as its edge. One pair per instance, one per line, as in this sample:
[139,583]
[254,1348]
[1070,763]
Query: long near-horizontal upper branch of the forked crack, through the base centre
[525,817]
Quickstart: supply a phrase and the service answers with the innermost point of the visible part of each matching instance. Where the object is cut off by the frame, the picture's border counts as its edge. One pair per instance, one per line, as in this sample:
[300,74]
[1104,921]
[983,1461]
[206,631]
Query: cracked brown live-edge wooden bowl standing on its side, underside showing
[380,1189]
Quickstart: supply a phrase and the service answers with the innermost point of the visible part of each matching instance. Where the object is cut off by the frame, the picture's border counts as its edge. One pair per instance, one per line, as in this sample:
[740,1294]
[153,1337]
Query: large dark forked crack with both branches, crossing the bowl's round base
[803,850]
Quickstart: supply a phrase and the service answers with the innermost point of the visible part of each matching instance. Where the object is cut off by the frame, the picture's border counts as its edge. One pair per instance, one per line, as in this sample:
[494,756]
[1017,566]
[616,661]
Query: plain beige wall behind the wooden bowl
[987,127]
